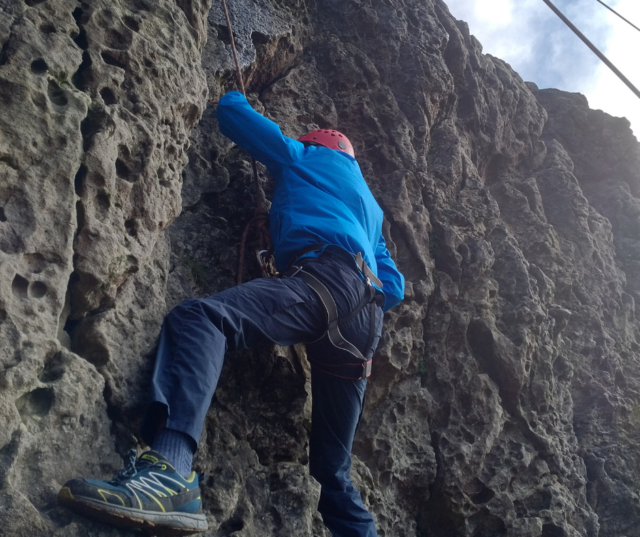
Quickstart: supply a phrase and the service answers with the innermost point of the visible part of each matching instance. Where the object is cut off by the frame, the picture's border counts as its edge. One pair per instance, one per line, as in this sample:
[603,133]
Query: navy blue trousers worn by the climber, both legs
[197,333]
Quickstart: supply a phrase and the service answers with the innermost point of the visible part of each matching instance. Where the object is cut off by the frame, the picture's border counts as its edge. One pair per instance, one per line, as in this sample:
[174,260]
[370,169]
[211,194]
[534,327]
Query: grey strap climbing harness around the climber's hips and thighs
[348,369]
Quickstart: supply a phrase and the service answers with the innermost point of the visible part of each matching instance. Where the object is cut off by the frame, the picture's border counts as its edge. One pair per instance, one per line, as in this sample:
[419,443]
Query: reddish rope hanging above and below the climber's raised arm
[260,220]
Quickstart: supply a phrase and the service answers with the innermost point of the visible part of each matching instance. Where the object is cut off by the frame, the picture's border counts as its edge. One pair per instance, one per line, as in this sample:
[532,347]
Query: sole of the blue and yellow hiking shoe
[160,524]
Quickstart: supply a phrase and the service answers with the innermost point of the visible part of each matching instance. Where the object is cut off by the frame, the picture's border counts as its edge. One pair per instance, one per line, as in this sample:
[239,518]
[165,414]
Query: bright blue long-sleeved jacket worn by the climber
[320,196]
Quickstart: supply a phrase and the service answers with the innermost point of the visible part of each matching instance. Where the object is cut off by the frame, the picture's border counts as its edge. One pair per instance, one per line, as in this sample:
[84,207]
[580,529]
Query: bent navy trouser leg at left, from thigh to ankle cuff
[197,333]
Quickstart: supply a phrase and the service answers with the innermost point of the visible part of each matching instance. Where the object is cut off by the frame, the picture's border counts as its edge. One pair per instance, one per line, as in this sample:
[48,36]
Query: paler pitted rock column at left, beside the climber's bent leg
[97,100]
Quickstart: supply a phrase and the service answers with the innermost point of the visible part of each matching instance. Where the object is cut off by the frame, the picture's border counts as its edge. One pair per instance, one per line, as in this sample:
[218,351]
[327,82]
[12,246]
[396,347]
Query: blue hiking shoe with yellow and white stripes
[148,494]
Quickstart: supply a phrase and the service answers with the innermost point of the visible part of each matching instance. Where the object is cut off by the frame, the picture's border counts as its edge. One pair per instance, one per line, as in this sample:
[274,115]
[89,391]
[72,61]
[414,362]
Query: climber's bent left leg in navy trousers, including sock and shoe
[194,338]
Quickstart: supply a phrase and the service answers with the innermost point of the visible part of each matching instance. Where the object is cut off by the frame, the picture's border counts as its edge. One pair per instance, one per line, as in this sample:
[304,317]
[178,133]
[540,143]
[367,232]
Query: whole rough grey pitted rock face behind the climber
[505,397]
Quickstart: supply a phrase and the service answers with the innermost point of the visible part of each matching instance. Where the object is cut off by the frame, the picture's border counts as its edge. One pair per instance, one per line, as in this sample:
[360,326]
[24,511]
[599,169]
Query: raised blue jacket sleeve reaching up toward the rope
[260,136]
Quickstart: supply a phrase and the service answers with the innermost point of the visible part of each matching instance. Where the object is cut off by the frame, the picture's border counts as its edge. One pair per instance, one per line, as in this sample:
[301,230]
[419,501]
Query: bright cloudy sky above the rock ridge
[542,49]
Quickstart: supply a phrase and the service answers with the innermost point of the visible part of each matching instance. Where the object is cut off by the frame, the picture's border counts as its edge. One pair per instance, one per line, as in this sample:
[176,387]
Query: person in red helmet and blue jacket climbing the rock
[338,278]
